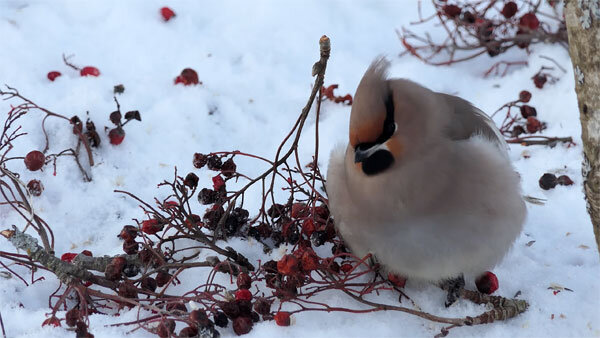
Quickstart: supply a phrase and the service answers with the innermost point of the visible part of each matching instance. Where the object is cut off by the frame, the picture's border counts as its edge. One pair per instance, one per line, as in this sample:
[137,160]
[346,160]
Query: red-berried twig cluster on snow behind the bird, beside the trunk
[492,27]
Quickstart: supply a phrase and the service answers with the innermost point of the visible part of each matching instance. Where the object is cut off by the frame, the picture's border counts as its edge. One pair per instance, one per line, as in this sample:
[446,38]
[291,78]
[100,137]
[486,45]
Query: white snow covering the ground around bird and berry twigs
[254,58]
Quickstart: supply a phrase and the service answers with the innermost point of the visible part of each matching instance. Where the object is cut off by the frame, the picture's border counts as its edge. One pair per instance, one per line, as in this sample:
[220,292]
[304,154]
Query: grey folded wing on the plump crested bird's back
[468,121]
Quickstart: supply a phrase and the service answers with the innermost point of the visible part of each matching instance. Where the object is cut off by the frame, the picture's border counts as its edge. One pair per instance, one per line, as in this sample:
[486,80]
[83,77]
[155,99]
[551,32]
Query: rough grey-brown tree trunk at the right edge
[583,26]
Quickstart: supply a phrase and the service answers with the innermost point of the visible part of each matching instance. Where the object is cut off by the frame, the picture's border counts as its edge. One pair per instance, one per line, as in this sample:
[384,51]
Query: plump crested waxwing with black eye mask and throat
[425,183]
